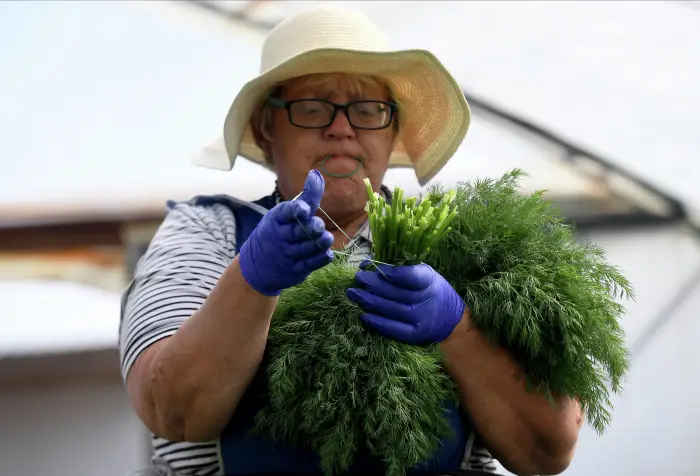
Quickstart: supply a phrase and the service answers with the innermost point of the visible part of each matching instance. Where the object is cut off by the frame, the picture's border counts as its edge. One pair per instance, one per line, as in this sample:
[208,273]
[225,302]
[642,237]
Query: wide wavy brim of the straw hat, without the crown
[434,114]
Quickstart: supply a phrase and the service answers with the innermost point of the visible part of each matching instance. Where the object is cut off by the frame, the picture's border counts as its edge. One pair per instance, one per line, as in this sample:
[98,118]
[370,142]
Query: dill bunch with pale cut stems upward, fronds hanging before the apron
[337,387]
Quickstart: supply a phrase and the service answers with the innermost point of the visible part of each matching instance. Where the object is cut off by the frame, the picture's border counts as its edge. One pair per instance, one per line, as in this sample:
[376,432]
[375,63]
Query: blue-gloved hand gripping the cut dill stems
[412,304]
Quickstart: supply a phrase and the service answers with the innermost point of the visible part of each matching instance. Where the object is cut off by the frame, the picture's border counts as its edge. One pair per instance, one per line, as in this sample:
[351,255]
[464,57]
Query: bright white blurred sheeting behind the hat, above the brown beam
[109,104]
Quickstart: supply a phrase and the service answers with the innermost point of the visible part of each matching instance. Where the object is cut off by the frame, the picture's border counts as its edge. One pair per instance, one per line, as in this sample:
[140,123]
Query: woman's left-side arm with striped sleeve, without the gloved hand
[193,331]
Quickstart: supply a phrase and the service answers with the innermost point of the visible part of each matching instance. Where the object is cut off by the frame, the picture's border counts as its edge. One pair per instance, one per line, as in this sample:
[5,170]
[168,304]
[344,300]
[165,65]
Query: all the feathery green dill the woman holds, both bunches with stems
[530,286]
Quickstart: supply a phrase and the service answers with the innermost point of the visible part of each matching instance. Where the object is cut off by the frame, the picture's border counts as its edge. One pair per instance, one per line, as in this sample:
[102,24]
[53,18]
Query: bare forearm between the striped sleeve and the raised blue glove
[196,379]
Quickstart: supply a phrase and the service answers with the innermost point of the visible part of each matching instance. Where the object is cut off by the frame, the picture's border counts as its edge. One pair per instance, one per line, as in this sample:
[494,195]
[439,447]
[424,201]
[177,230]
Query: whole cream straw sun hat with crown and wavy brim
[434,115]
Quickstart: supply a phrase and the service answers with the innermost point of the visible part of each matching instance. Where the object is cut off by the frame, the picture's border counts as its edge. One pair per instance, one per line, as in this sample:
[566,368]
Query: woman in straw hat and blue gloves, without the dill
[332,106]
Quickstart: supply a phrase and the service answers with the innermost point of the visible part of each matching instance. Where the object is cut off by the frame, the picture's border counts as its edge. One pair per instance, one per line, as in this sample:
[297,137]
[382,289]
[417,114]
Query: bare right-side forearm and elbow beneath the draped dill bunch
[523,430]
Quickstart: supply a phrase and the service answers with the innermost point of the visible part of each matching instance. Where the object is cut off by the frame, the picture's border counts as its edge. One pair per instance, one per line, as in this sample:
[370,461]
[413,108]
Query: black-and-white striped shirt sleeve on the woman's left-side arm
[188,254]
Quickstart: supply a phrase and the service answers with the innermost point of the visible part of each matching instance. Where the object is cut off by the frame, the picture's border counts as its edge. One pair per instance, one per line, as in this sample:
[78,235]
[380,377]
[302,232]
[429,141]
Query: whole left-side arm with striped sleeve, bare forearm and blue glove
[210,312]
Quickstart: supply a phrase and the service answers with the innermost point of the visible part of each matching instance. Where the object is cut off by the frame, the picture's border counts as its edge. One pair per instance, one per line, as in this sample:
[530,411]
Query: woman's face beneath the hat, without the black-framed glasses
[296,150]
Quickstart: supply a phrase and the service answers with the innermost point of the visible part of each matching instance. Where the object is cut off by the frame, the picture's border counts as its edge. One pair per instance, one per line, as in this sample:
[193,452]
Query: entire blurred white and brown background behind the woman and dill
[103,104]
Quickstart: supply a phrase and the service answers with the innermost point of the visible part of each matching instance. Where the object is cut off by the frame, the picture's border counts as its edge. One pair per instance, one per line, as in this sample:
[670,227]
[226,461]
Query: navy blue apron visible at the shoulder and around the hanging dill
[246,454]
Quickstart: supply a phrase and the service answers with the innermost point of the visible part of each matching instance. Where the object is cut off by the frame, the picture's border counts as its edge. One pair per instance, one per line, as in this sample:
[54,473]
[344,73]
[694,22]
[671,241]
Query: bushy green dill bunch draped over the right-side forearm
[532,288]
